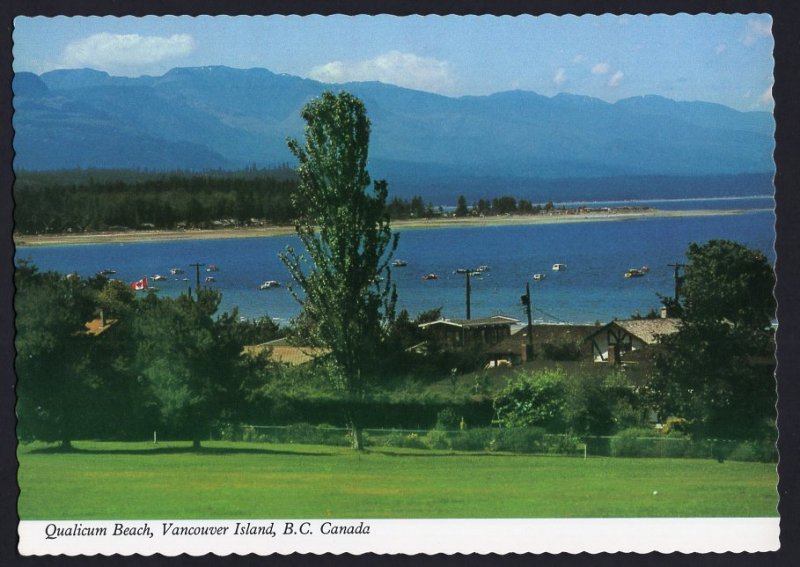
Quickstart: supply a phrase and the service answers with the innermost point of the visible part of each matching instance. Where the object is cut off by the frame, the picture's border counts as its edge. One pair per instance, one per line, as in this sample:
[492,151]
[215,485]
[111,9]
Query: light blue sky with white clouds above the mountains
[722,58]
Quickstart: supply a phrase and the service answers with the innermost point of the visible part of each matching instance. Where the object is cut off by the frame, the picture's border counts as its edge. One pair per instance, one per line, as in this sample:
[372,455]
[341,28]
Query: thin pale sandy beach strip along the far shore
[414,224]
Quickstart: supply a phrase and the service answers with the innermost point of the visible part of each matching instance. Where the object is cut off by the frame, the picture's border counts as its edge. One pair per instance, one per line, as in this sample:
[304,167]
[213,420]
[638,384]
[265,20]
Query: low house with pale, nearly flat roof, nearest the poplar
[463,333]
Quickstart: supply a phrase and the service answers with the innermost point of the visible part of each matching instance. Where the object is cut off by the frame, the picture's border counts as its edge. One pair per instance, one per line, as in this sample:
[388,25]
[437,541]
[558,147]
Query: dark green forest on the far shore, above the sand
[86,201]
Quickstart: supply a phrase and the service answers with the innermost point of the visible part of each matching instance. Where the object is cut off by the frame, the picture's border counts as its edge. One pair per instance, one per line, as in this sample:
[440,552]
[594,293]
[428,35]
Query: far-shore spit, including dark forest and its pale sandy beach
[98,206]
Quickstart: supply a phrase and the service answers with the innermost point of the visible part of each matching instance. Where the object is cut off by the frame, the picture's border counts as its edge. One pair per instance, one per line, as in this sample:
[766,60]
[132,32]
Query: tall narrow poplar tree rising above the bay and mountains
[343,276]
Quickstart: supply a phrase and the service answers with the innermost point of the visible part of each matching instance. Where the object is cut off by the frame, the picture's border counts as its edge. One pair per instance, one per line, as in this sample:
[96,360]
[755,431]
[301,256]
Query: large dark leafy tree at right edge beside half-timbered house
[717,371]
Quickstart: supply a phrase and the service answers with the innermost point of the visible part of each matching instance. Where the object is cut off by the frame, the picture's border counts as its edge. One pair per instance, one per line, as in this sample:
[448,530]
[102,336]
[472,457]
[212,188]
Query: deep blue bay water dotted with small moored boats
[592,288]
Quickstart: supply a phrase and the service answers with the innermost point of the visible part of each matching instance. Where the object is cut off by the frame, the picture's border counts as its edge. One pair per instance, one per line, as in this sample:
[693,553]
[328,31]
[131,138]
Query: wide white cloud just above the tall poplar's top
[395,68]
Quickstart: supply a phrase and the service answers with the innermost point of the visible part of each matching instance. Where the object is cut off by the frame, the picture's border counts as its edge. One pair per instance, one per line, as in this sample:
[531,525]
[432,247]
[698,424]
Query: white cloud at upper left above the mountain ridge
[106,51]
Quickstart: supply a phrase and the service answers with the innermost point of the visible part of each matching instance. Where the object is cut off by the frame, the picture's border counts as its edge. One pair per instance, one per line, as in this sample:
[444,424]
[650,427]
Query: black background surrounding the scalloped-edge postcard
[786,22]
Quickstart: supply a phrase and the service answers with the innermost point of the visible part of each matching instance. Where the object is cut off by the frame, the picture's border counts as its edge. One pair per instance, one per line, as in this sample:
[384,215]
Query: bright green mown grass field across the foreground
[245,480]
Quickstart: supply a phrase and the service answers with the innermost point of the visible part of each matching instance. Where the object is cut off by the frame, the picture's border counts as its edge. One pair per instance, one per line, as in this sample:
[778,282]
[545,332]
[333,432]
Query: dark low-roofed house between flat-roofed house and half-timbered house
[551,341]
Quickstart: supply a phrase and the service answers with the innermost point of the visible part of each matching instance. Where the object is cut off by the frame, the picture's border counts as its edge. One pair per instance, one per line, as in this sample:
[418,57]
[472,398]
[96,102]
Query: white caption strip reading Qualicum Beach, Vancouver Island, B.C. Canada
[224,537]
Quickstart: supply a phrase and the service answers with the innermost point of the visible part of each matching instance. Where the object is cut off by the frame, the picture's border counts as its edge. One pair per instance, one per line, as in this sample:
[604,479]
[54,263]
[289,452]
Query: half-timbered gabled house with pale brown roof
[612,342]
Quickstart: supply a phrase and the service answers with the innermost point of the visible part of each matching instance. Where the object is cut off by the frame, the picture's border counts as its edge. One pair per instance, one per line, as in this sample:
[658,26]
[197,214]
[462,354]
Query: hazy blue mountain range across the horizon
[220,117]
